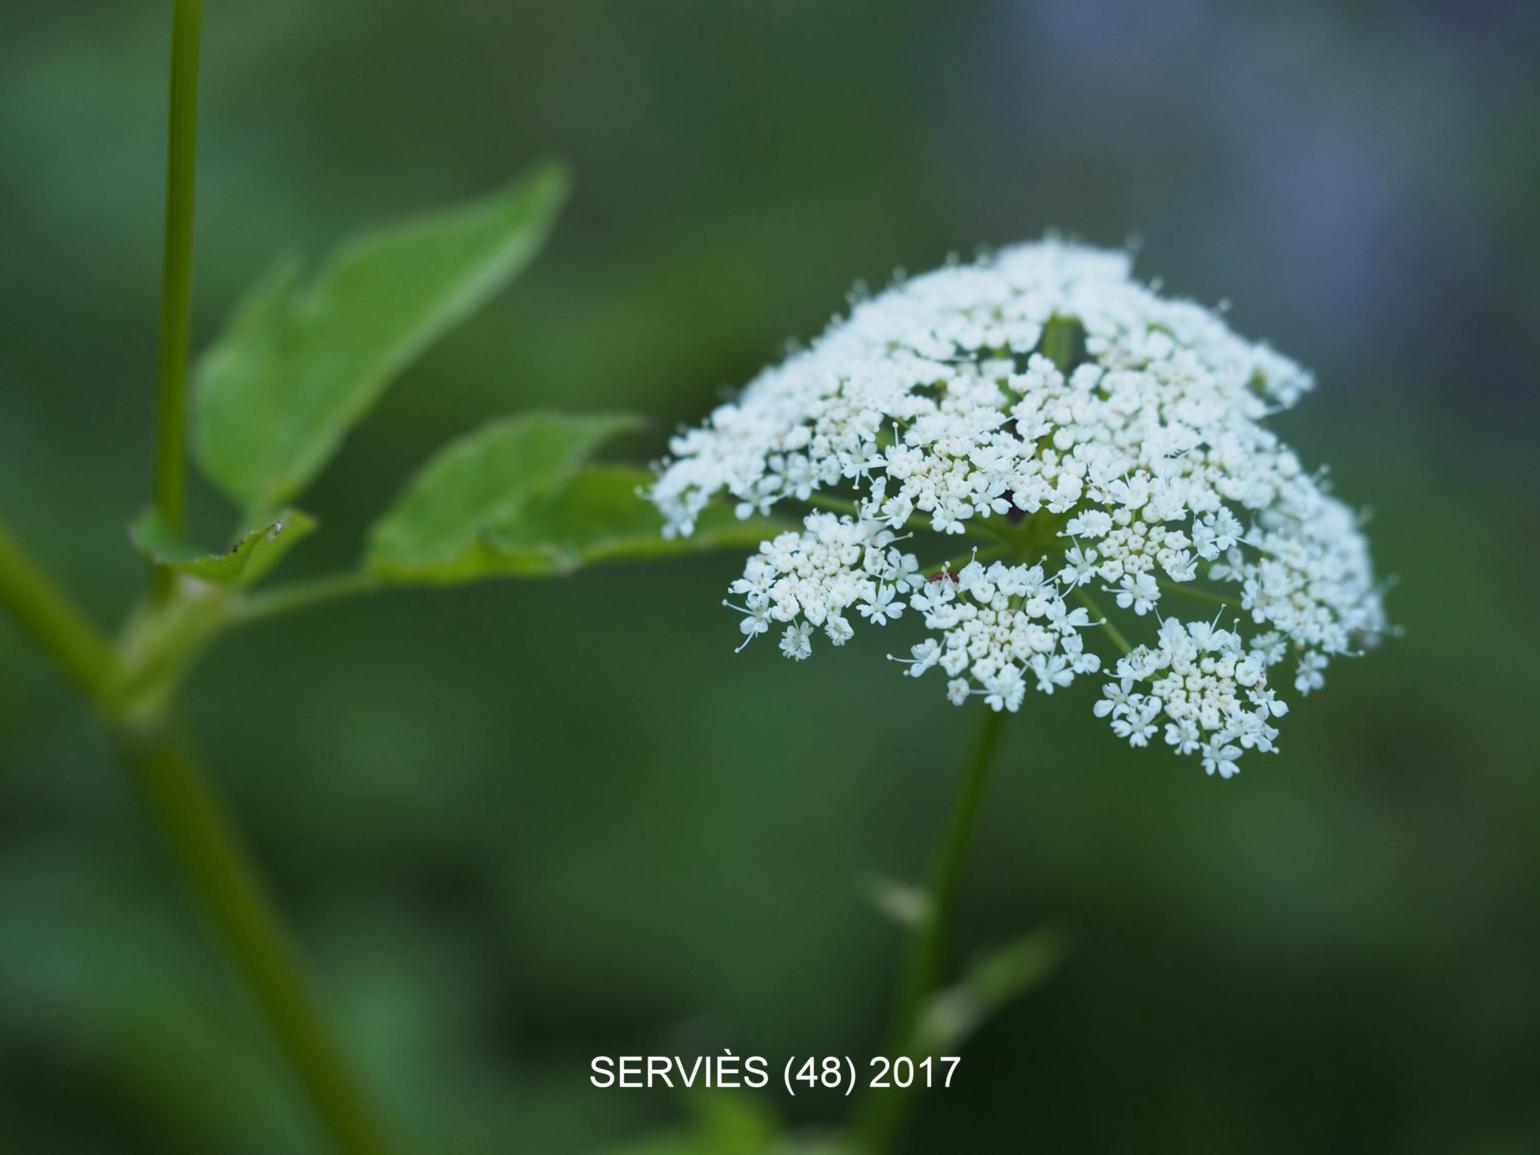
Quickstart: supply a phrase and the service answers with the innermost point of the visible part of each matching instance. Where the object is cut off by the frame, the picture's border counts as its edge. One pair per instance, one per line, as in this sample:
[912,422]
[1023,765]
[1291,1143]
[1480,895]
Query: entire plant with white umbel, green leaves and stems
[1045,467]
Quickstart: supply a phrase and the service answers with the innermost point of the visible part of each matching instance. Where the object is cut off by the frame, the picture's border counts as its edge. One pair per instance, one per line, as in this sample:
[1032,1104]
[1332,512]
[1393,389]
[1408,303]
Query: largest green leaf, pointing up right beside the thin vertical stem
[301,363]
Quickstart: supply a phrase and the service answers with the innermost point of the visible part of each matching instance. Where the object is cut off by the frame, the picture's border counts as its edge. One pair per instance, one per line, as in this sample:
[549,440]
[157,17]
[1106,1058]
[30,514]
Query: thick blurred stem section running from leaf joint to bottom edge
[246,922]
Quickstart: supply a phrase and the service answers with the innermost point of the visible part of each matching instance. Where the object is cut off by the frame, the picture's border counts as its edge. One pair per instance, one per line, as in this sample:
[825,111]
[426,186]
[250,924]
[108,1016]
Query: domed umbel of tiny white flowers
[1102,441]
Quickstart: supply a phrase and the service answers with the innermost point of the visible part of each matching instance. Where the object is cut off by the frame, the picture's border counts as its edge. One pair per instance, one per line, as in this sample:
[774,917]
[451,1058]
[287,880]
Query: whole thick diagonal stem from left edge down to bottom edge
[209,851]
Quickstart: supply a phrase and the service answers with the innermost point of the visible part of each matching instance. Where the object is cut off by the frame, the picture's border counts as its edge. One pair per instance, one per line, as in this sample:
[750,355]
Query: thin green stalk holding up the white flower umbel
[885,1111]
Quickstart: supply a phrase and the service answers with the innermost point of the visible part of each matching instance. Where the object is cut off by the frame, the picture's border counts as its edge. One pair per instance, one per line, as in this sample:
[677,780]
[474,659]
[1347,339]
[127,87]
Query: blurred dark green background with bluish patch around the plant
[527,825]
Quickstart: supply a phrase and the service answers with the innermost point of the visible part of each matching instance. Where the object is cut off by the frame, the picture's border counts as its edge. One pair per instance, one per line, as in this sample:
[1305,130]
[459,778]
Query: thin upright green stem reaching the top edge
[176,292]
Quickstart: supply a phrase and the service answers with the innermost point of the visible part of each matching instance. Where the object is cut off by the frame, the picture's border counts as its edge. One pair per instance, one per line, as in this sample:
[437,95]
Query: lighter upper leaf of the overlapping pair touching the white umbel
[443,526]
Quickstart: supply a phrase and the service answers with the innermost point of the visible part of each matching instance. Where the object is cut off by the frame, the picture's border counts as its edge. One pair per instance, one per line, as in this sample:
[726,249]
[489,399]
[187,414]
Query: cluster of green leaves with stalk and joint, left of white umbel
[304,360]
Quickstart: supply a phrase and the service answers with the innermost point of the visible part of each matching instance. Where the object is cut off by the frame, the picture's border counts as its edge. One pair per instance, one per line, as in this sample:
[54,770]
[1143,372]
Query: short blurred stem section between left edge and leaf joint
[55,624]
